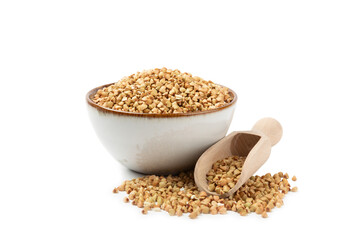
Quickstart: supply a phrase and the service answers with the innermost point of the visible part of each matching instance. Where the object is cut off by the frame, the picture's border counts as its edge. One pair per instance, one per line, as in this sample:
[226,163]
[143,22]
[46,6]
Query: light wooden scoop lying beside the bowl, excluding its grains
[255,145]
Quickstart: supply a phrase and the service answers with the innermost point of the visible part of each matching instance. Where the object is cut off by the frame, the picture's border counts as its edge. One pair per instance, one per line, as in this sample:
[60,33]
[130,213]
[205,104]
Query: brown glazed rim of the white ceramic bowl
[92,92]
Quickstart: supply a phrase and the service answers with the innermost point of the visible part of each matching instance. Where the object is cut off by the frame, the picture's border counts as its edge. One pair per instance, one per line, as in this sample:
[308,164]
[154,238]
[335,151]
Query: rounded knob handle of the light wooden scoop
[271,128]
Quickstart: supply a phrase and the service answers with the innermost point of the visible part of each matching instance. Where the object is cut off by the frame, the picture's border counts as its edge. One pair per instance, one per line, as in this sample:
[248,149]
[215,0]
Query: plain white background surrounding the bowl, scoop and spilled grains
[297,61]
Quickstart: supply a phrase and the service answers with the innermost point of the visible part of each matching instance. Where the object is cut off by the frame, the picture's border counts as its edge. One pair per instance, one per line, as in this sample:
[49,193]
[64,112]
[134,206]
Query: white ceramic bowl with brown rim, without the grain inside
[158,143]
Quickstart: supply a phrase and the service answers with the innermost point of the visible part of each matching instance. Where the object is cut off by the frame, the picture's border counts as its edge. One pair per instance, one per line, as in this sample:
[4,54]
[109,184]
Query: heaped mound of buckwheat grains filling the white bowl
[163,91]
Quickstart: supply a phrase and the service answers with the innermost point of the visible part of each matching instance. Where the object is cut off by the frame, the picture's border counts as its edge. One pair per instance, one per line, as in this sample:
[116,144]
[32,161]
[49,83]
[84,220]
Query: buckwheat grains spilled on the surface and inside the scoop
[179,194]
